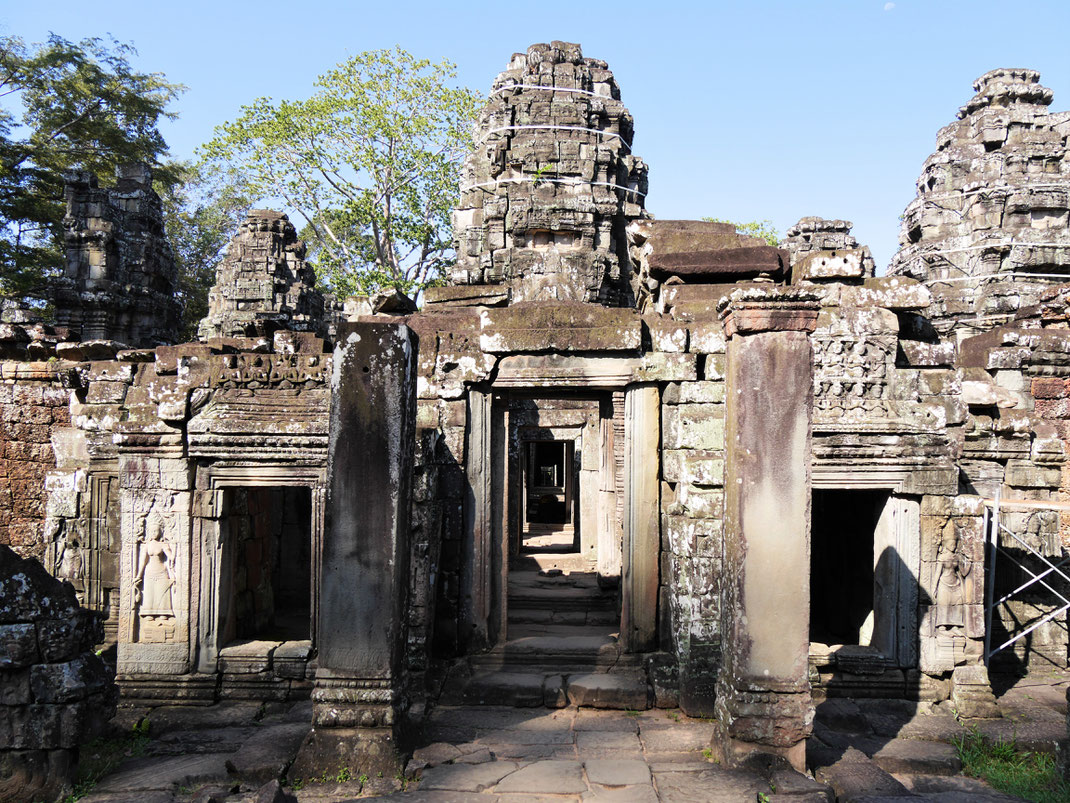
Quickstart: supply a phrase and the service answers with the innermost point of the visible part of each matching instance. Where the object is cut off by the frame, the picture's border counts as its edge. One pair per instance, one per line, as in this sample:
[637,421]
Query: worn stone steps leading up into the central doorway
[562,645]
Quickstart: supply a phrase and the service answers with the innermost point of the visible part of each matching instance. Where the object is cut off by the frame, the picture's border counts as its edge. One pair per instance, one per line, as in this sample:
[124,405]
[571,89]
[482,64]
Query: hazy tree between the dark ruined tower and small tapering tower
[202,214]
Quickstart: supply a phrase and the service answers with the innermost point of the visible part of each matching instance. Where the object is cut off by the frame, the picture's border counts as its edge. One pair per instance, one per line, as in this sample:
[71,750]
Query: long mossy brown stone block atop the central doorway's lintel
[560,327]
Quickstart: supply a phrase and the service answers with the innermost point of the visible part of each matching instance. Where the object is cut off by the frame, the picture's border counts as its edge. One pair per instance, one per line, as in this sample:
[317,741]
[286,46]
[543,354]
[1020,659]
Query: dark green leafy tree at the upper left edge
[67,107]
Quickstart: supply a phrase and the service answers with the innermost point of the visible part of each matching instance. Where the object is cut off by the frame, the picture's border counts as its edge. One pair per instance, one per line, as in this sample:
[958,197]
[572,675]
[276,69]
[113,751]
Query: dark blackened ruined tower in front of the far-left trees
[120,280]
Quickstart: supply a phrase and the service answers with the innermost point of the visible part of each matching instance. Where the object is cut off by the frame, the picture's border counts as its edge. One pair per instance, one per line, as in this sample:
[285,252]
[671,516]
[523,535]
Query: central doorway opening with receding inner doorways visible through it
[564,504]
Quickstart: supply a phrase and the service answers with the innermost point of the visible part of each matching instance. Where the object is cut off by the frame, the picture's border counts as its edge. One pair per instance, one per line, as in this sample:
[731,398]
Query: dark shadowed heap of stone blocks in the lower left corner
[55,691]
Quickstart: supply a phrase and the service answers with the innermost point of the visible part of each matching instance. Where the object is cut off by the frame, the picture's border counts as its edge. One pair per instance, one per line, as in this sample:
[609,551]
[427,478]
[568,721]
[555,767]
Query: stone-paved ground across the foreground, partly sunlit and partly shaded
[862,751]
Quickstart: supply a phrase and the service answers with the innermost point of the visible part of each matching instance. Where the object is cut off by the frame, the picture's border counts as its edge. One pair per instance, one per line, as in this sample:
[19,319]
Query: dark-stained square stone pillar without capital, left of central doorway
[365,558]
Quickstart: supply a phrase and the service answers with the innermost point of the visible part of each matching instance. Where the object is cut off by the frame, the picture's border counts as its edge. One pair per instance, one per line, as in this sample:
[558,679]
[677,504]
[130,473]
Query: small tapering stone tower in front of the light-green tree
[264,283]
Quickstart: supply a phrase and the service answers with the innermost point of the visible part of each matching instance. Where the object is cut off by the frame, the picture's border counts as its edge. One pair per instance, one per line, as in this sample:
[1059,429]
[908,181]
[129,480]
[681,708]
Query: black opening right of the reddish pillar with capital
[844,527]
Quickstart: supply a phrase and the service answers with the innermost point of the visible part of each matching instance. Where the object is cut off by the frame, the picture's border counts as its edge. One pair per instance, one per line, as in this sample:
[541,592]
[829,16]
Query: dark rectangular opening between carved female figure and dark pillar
[268,565]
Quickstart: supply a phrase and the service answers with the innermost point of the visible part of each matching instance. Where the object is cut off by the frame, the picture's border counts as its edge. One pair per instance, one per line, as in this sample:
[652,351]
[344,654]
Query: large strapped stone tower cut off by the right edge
[992,206]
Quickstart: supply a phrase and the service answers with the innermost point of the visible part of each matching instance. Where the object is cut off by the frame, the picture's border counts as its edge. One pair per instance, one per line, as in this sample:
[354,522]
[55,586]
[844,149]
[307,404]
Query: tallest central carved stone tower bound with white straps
[552,185]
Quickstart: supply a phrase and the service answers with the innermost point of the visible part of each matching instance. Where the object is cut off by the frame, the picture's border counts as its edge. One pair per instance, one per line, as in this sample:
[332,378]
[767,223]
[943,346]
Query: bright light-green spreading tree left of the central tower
[371,163]
